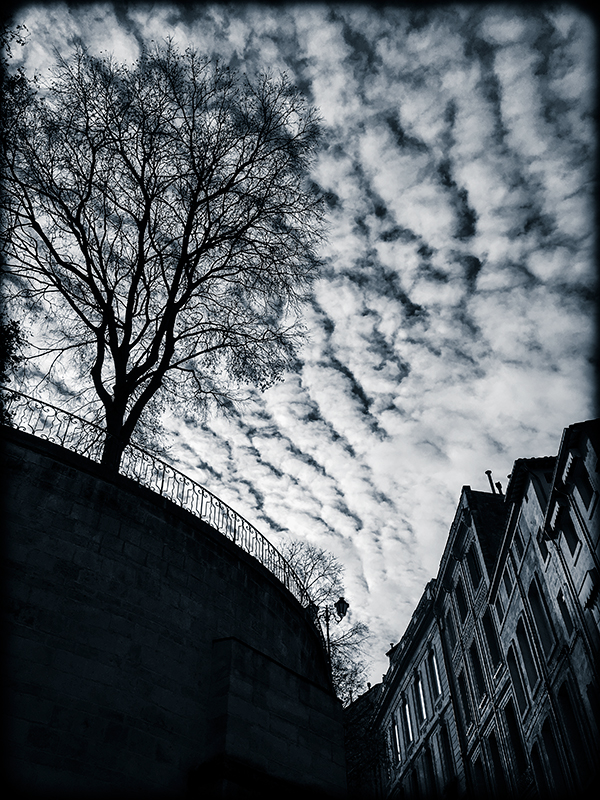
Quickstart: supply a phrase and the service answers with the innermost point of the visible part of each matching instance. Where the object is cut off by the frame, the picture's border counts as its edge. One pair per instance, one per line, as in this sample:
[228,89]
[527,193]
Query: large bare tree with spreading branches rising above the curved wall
[159,220]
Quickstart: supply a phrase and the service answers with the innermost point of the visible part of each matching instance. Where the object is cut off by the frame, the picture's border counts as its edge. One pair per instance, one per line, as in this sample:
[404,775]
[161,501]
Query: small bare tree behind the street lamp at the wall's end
[322,574]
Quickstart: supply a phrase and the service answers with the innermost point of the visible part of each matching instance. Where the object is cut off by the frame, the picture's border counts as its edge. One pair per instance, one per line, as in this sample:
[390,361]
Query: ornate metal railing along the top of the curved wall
[80,436]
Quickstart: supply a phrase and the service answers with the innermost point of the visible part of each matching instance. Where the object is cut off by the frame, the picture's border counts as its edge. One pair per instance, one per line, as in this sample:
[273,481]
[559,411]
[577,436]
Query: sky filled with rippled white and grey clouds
[452,328]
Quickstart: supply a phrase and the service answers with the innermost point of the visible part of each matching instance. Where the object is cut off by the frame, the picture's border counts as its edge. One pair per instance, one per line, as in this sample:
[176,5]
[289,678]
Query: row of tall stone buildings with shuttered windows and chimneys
[493,689]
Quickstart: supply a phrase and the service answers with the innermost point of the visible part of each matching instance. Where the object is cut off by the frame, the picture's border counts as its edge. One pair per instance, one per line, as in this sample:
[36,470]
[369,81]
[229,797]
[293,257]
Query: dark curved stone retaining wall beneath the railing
[146,651]
